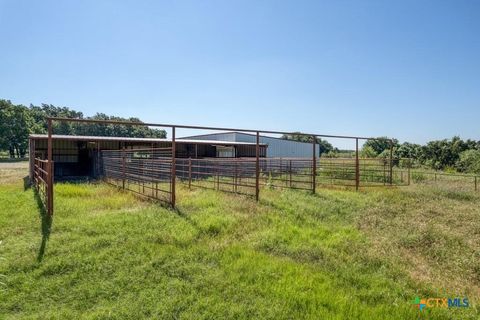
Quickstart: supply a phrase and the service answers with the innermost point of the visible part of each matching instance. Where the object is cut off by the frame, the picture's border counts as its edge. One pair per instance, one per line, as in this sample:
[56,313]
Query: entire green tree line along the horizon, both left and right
[17,122]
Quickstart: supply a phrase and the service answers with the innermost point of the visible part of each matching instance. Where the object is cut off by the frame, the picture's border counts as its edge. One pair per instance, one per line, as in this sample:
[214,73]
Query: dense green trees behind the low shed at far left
[18,121]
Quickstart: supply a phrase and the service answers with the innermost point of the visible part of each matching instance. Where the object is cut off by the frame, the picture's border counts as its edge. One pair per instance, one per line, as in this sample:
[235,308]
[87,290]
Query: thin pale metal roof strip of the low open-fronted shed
[129,139]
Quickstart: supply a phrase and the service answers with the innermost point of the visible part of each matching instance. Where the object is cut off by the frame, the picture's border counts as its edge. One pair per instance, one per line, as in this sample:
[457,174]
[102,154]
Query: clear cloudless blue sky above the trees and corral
[405,69]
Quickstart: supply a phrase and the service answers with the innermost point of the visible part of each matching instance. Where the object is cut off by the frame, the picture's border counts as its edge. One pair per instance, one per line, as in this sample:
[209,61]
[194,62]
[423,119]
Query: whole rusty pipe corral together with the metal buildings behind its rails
[236,160]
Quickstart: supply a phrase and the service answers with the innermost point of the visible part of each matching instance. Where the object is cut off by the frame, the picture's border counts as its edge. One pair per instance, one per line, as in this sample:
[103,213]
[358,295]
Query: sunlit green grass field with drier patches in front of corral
[333,255]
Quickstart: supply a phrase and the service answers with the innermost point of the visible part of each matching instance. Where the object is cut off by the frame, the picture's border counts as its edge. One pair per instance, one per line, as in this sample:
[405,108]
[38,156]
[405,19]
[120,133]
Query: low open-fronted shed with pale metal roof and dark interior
[79,156]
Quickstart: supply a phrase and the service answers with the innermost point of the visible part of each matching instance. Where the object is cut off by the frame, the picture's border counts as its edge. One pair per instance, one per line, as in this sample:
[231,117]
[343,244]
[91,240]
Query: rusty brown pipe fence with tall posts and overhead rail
[155,176]
